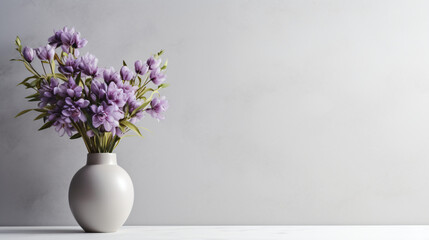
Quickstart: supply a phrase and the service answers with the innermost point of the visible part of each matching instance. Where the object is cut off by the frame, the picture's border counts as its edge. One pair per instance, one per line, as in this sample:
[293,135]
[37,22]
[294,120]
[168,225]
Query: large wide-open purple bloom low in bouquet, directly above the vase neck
[107,116]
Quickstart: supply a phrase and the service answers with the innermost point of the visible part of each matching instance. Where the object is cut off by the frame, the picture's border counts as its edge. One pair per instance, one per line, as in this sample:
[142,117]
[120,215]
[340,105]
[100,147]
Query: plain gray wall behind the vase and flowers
[282,112]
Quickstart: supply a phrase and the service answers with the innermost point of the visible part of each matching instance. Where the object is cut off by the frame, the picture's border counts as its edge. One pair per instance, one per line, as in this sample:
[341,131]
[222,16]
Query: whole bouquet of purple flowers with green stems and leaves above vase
[99,105]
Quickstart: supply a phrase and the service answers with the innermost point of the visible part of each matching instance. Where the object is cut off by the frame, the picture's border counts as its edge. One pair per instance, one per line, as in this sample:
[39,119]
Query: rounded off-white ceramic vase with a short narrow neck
[101,194]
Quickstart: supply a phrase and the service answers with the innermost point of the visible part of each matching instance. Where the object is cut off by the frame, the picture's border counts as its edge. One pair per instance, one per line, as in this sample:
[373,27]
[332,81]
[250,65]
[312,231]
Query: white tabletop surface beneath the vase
[223,232]
